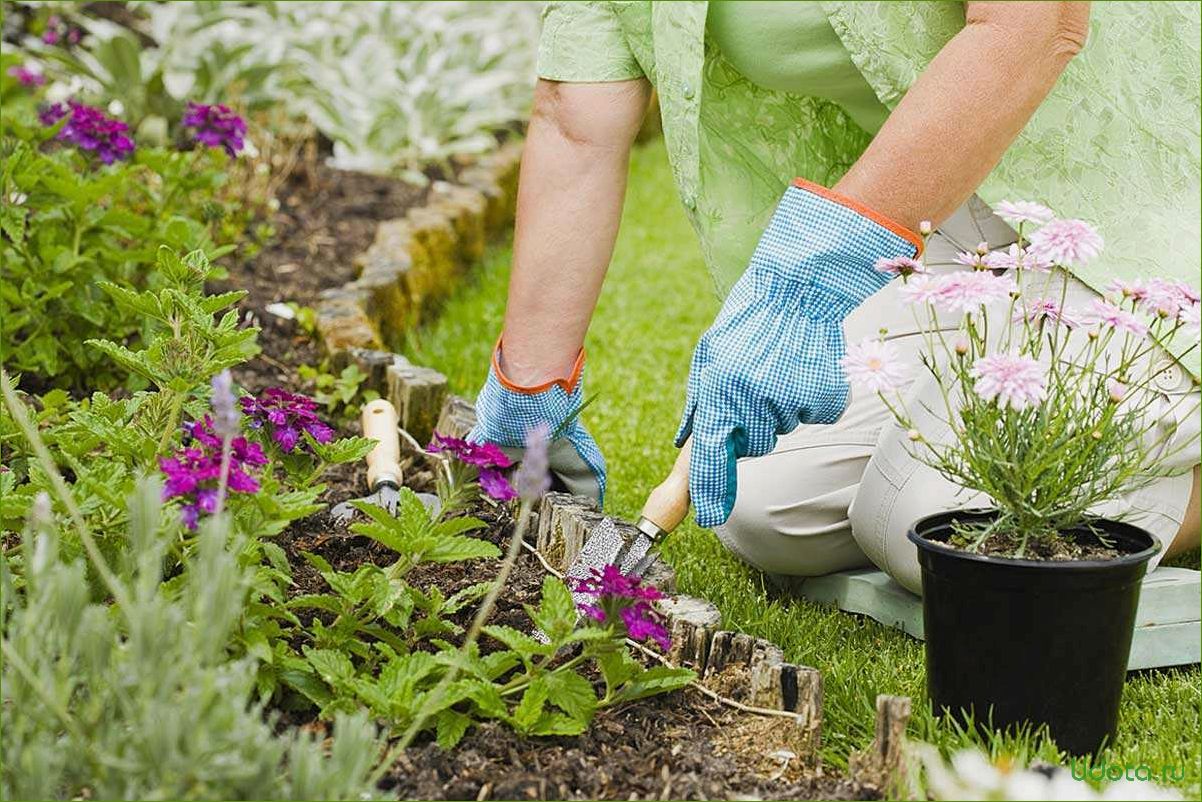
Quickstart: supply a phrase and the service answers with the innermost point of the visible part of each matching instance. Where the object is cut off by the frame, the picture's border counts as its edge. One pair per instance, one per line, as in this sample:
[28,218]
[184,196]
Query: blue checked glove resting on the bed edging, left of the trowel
[505,412]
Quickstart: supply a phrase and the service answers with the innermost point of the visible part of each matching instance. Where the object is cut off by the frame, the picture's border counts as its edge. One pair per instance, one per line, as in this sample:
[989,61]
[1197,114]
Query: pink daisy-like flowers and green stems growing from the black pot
[1049,406]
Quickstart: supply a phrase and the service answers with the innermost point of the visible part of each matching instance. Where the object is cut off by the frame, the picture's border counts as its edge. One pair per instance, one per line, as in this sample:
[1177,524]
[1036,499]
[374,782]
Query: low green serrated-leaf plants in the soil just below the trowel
[378,641]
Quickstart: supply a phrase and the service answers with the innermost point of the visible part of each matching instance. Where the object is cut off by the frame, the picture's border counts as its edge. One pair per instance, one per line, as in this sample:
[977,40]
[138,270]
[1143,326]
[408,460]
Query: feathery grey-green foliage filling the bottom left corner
[140,699]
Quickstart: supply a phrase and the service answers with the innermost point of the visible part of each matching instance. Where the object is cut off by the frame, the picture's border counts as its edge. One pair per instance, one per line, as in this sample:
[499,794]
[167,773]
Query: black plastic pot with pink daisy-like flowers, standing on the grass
[1042,407]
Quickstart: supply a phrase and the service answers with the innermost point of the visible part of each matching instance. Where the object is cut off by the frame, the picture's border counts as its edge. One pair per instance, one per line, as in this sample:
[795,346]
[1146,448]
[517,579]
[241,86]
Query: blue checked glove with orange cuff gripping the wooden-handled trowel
[771,360]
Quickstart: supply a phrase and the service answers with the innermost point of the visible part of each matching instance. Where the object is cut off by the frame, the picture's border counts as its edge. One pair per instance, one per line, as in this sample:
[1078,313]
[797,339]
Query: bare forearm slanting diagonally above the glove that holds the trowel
[968,106]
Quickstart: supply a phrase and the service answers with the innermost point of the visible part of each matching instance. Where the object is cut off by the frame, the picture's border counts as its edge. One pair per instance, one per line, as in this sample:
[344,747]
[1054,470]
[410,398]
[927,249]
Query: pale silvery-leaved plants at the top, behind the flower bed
[448,78]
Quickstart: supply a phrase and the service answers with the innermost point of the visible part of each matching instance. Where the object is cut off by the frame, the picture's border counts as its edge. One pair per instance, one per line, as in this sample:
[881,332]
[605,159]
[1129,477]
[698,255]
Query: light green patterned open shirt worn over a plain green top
[1117,142]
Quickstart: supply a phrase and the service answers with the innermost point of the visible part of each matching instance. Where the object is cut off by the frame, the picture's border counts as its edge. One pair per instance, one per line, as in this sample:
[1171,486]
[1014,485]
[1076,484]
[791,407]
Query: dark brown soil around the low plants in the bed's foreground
[681,746]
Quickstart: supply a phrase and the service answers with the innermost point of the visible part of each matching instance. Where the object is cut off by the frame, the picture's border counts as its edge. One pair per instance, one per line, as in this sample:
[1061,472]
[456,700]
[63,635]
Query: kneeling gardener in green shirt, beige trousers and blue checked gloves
[908,110]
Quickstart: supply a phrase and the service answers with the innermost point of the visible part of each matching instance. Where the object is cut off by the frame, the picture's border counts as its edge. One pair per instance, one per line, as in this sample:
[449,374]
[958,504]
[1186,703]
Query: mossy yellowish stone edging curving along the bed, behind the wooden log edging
[414,262]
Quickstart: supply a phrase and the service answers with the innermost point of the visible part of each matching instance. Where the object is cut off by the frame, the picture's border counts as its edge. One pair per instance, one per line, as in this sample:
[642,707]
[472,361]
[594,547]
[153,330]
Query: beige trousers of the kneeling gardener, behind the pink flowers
[843,496]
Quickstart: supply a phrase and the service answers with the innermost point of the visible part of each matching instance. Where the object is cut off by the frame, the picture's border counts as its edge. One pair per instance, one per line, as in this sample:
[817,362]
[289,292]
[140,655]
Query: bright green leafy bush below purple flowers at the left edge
[76,236]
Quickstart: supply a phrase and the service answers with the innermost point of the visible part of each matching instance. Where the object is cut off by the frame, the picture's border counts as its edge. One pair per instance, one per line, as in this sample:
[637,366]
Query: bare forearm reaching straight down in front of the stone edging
[574,180]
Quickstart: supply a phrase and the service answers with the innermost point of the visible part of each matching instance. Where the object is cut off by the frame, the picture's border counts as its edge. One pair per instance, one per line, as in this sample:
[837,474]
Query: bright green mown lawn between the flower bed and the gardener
[657,301]
